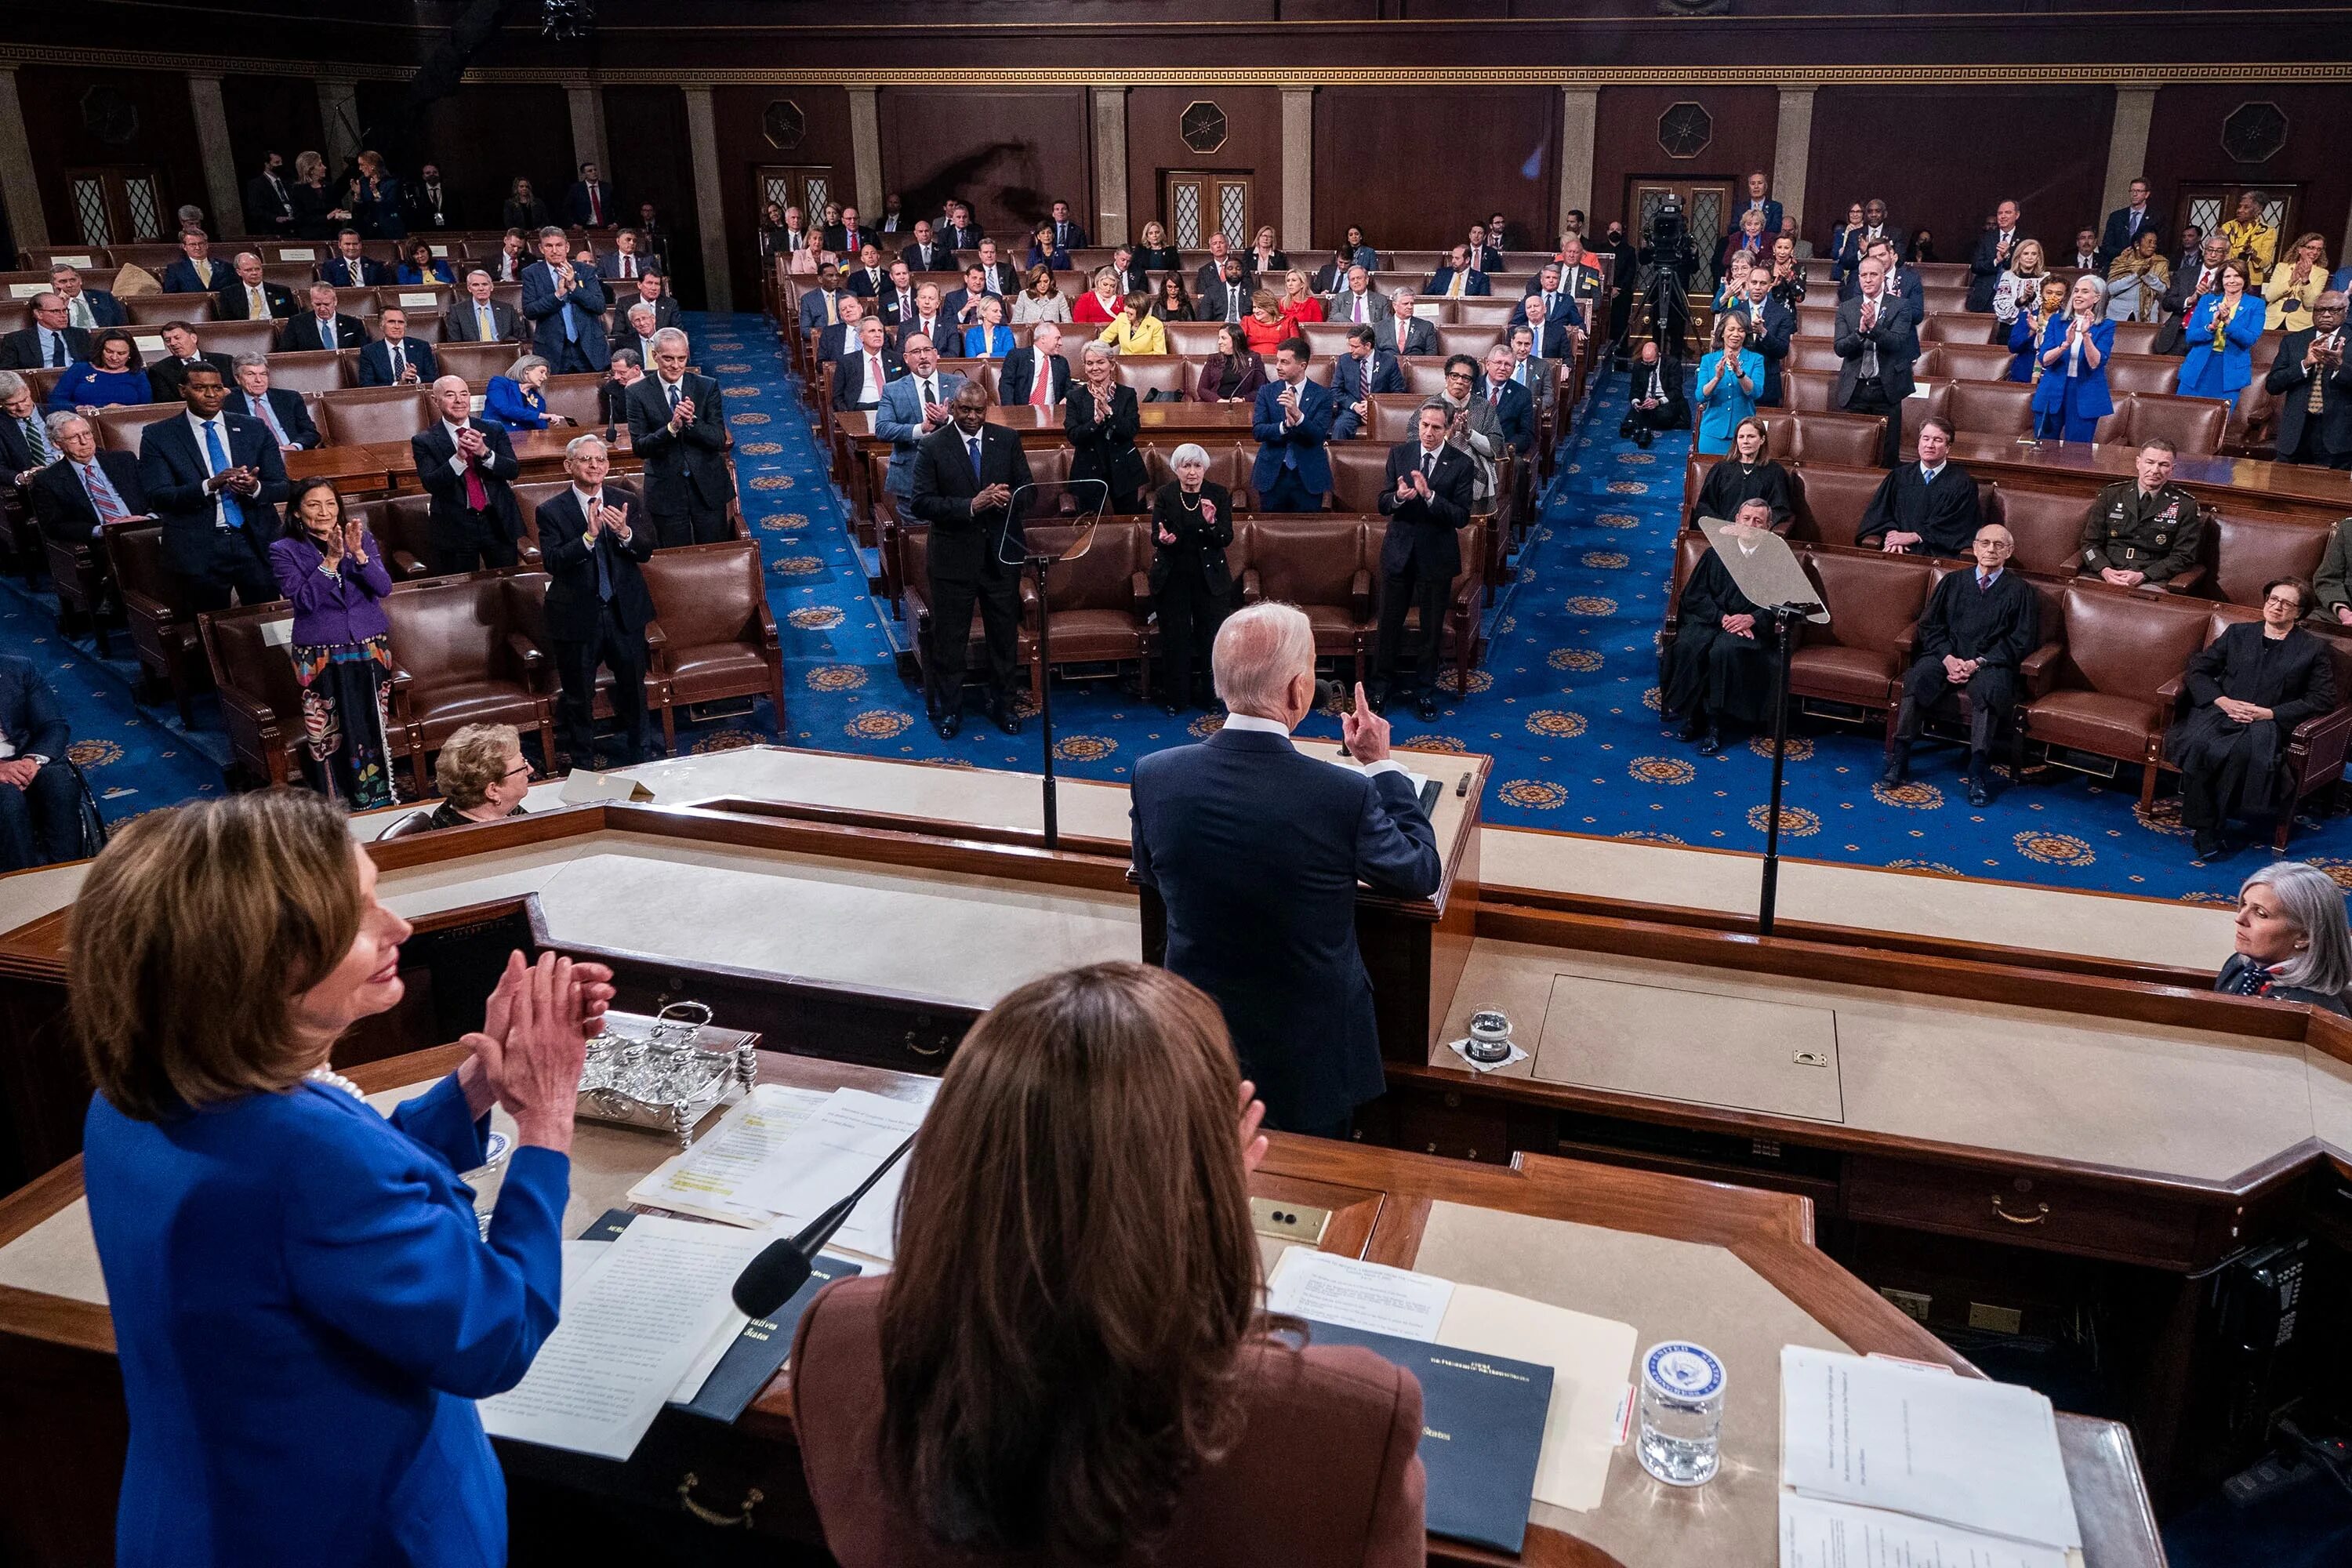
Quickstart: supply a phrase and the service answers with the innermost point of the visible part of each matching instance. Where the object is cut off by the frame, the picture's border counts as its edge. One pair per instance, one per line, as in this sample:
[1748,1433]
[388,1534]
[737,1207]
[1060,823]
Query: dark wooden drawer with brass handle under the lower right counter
[2029,1209]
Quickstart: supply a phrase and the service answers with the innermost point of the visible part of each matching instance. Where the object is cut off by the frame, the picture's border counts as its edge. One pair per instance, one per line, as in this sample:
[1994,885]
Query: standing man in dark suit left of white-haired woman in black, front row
[968,476]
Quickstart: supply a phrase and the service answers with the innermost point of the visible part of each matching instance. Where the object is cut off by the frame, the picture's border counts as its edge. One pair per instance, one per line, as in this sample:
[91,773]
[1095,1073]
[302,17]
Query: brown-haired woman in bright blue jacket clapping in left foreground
[302,1296]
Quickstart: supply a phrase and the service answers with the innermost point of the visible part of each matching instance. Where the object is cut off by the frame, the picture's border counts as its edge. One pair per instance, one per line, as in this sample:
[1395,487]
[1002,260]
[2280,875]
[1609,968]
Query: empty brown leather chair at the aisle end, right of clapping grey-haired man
[719,631]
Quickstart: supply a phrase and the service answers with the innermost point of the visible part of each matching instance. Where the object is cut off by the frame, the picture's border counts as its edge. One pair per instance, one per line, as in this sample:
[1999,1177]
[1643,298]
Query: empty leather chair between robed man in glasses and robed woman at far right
[2118,674]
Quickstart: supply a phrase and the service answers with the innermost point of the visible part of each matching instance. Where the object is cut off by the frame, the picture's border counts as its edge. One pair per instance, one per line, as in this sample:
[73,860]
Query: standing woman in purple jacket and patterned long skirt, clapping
[333,572]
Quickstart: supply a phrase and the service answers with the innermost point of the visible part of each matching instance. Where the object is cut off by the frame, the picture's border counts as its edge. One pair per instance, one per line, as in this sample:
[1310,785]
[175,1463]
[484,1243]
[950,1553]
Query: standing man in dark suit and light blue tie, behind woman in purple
[215,483]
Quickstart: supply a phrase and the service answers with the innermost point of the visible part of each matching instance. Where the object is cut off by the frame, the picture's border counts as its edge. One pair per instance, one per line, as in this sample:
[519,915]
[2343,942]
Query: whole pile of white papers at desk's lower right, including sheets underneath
[1885,1463]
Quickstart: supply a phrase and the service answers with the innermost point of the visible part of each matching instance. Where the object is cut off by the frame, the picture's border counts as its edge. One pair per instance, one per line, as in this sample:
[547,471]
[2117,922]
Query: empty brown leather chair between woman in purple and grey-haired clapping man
[460,657]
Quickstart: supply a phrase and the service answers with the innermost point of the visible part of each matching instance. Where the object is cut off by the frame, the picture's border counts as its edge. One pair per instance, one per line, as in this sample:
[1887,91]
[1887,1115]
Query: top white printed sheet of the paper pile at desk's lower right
[1960,1452]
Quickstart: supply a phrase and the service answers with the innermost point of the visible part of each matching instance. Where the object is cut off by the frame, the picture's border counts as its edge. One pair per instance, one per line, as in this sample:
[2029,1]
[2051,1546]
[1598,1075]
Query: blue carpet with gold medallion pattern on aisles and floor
[1565,702]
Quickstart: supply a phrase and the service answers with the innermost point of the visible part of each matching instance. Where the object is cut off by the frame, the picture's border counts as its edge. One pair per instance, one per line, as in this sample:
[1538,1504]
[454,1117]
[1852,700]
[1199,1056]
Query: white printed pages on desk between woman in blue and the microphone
[634,1325]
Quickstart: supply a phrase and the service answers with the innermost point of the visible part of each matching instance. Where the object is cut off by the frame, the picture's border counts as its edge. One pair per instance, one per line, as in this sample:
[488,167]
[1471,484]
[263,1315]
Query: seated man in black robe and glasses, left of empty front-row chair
[1977,631]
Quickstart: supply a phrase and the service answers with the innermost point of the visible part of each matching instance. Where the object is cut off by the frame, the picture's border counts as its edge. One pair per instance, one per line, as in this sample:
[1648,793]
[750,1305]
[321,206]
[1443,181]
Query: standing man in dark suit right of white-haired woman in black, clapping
[1426,504]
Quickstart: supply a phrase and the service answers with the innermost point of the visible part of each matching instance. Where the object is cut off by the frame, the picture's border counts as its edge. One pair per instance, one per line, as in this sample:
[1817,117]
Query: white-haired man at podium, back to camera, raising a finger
[1257,855]
